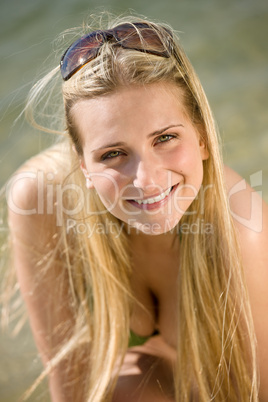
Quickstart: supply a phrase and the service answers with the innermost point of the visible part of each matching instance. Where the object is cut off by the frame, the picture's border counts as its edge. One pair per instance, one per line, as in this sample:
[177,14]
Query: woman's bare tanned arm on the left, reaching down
[45,289]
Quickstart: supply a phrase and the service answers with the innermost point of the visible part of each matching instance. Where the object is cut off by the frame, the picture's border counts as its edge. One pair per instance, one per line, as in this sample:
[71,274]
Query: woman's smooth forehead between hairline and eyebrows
[131,109]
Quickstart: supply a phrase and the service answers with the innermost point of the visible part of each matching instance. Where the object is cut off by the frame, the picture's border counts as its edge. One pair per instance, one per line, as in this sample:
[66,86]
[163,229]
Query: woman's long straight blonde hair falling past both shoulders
[216,357]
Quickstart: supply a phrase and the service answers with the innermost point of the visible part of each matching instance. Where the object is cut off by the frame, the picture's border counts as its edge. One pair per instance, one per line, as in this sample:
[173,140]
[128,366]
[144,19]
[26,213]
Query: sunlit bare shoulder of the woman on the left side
[31,194]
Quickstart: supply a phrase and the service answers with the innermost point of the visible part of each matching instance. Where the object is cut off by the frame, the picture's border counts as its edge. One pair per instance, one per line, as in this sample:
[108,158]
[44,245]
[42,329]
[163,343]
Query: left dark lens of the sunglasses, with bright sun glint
[79,53]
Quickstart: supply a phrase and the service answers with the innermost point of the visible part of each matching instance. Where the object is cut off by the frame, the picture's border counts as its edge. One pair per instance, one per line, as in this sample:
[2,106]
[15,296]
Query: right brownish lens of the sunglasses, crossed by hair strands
[141,37]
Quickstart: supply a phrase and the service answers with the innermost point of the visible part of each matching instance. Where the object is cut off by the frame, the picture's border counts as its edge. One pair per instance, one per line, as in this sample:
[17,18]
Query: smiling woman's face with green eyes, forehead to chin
[143,155]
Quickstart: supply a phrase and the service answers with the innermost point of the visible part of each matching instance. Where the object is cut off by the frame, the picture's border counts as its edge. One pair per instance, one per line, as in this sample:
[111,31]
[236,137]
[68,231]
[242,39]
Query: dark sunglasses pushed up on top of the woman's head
[137,36]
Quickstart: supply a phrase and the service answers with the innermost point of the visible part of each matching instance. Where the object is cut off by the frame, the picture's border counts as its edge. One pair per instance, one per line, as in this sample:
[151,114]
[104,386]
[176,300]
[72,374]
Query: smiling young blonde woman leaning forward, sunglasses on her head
[134,226]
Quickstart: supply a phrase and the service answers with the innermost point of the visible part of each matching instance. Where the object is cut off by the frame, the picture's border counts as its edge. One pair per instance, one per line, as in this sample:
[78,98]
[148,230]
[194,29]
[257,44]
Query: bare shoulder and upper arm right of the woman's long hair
[250,215]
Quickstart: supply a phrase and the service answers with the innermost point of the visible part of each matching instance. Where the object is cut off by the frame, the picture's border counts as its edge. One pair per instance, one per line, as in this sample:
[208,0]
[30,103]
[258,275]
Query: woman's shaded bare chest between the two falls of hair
[155,288]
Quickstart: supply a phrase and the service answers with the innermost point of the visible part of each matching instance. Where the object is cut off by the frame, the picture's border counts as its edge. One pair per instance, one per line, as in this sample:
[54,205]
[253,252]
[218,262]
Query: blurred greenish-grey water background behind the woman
[226,42]
